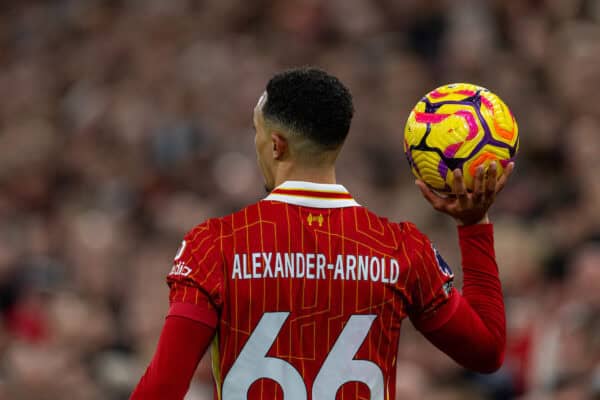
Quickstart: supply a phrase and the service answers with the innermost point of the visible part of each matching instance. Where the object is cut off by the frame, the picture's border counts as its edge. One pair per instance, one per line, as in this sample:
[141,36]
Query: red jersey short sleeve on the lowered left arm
[196,278]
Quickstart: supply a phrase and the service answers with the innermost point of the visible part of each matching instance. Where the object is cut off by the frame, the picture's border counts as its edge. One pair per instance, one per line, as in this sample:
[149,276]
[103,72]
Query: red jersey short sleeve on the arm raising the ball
[430,281]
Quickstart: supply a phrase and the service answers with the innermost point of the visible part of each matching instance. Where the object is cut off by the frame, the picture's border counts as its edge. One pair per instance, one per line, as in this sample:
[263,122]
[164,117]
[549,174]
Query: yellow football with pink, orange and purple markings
[459,126]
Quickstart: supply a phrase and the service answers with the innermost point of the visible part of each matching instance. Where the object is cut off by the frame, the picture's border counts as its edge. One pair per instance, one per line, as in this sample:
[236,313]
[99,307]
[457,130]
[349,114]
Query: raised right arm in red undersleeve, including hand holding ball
[470,327]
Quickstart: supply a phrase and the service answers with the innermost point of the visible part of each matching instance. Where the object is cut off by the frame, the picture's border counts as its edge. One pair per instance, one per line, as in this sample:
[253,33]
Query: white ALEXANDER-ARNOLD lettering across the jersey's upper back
[315,266]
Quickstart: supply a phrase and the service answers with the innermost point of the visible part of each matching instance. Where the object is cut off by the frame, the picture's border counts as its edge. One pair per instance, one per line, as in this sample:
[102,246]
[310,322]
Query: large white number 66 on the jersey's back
[338,368]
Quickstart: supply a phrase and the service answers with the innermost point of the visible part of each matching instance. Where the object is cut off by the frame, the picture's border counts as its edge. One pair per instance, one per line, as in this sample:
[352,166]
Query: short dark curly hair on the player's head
[312,103]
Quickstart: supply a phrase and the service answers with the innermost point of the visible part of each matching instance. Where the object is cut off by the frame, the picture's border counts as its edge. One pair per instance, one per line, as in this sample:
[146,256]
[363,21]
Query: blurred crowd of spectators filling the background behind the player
[126,122]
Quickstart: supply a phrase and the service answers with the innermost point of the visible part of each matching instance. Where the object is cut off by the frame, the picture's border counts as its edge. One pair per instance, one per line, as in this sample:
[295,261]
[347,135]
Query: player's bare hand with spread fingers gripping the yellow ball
[469,208]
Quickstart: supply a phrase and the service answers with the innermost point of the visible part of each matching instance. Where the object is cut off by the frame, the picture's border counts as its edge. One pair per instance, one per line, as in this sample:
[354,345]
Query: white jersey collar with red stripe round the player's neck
[309,194]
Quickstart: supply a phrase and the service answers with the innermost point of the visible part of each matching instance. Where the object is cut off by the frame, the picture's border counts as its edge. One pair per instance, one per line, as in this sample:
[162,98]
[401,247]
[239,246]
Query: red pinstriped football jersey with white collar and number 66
[307,291]
